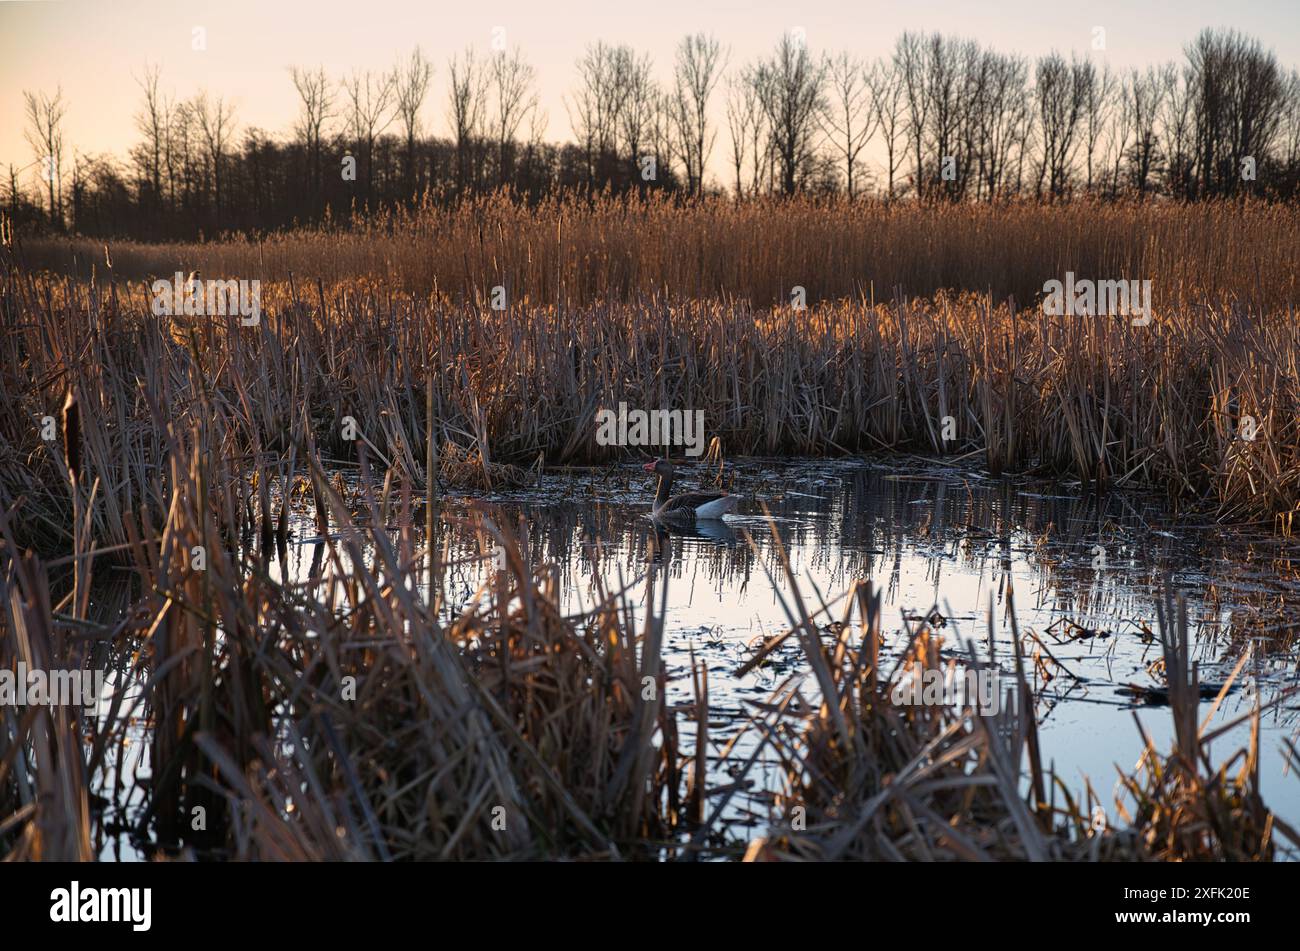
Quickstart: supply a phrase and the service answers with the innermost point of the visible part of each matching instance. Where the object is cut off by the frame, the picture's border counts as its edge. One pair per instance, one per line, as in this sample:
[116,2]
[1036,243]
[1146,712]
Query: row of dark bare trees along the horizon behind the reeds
[941,119]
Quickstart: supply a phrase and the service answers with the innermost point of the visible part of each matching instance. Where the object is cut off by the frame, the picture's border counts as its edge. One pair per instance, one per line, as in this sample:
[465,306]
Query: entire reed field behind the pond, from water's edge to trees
[913,314]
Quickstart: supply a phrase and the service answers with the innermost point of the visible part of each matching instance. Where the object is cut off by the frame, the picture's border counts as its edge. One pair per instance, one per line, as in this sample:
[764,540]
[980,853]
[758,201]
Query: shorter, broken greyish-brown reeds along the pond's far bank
[502,393]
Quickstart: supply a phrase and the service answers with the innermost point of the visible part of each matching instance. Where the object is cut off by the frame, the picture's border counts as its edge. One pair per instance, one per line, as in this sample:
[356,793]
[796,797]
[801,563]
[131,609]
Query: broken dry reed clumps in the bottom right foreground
[868,779]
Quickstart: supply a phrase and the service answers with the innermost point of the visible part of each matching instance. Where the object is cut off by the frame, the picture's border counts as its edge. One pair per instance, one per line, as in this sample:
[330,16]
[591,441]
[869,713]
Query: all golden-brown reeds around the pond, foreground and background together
[180,433]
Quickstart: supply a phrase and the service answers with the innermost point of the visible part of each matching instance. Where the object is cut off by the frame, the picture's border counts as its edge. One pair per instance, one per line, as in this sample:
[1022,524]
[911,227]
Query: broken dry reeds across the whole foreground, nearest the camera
[344,718]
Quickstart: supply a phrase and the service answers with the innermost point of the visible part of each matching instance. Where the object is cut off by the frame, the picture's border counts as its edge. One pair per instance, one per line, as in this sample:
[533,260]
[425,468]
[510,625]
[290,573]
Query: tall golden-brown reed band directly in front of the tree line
[571,251]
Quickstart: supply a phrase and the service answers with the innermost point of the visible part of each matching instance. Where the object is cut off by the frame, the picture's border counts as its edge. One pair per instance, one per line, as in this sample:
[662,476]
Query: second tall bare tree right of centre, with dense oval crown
[791,93]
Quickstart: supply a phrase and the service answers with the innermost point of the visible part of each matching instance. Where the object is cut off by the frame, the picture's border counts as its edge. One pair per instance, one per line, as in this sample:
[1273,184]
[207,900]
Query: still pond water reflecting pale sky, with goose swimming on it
[1084,570]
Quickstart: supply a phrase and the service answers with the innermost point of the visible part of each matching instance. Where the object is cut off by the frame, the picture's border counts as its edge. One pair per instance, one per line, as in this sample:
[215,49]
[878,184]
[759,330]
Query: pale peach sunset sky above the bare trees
[97,49]
